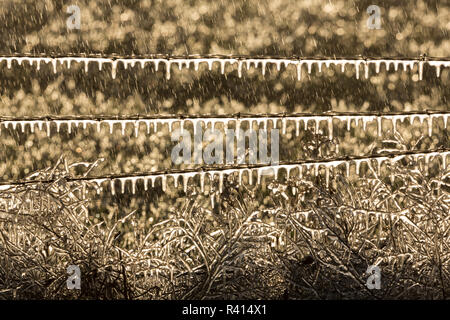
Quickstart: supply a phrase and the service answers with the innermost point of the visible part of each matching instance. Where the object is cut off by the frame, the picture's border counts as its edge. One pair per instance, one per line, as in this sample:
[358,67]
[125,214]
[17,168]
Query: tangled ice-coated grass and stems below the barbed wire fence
[310,242]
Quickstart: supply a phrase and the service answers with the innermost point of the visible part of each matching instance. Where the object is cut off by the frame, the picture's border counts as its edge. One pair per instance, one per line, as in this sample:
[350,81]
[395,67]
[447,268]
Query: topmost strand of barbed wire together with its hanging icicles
[223,60]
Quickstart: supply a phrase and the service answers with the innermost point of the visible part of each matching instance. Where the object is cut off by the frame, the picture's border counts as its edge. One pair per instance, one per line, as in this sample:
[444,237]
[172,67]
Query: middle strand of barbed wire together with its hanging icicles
[268,120]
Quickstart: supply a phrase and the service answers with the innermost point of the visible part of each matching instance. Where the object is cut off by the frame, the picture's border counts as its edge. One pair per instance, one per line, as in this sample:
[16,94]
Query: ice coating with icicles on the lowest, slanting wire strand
[301,169]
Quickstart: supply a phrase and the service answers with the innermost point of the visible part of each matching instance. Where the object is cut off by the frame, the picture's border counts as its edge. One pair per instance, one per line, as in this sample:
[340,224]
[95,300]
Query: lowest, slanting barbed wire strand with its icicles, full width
[300,167]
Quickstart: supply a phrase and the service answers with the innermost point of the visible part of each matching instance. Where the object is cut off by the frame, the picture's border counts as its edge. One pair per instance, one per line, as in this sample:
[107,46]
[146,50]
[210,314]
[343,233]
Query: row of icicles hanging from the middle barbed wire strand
[267,122]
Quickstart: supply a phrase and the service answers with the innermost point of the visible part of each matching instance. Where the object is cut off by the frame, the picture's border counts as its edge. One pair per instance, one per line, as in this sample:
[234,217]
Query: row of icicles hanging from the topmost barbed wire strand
[240,62]
